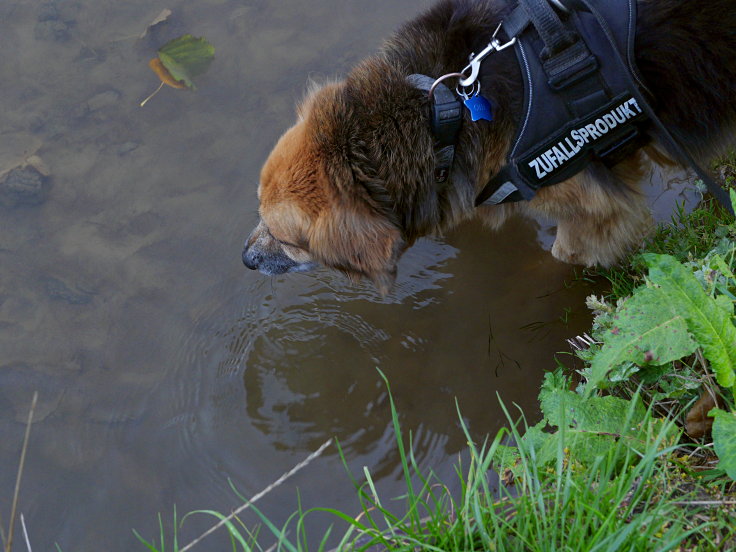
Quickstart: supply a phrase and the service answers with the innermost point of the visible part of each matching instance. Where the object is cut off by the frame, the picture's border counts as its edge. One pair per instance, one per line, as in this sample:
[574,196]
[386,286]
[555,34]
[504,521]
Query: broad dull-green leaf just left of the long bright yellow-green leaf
[645,331]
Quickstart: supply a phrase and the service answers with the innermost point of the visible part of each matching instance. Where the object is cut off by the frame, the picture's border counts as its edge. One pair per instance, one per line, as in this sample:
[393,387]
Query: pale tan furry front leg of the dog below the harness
[597,223]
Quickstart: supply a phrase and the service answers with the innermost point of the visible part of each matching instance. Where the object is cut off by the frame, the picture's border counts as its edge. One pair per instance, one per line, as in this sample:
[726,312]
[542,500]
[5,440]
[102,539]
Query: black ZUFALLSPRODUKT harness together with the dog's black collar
[583,98]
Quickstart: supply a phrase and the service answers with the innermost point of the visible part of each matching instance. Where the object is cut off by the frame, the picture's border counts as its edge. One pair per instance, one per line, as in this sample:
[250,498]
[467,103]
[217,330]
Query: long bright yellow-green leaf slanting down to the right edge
[706,319]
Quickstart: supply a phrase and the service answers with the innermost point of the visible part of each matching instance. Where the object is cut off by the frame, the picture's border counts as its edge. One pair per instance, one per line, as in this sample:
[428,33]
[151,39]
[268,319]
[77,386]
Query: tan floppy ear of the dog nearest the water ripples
[353,238]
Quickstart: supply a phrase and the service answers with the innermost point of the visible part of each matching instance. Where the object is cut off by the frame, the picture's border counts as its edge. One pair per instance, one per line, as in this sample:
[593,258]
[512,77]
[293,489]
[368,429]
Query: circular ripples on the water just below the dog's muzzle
[295,366]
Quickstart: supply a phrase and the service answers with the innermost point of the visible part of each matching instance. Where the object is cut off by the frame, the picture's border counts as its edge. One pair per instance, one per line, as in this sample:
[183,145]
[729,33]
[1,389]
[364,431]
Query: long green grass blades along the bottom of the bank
[625,500]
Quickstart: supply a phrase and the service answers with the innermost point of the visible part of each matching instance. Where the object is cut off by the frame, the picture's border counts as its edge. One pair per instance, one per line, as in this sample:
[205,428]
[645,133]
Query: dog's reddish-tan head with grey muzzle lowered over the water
[322,199]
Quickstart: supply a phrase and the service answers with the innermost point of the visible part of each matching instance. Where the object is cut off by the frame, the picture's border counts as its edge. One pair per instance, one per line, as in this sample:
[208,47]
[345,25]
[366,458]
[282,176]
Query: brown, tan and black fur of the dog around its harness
[350,185]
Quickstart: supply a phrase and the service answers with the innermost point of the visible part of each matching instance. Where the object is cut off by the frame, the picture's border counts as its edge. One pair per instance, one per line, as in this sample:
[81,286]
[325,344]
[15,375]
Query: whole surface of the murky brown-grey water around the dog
[164,368]
